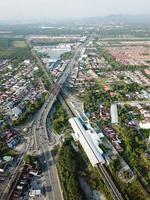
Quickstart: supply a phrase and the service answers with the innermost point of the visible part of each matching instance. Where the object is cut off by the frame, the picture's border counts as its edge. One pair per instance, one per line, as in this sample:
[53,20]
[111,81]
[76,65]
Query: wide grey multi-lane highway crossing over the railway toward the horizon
[53,189]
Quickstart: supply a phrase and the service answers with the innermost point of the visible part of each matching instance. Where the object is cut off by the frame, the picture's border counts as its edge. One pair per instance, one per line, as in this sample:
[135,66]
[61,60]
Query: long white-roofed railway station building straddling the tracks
[89,141]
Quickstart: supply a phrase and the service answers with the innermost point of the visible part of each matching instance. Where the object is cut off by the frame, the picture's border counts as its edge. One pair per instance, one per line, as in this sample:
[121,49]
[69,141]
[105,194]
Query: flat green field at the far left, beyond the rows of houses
[10,48]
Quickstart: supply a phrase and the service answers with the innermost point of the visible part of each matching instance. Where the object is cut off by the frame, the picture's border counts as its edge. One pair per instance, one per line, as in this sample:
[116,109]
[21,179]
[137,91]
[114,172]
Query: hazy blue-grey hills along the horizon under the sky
[110,19]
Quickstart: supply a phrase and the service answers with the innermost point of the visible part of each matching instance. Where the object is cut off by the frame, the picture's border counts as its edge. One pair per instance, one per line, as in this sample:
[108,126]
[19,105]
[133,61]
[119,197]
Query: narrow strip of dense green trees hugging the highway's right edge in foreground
[67,168]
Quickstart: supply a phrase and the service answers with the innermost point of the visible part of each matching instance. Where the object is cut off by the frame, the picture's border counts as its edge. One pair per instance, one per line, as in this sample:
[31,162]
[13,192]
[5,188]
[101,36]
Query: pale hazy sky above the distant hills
[69,9]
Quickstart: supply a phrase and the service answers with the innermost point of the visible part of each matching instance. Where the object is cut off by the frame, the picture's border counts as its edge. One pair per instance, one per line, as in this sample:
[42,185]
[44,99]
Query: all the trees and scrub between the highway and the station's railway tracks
[71,169]
